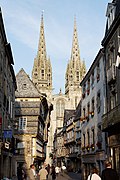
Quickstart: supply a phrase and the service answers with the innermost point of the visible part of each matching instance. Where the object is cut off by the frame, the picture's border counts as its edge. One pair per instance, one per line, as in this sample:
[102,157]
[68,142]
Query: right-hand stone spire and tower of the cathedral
[74,72]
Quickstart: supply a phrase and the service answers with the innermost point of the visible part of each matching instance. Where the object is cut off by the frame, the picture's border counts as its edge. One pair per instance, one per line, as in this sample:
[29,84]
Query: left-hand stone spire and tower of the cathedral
[42,70]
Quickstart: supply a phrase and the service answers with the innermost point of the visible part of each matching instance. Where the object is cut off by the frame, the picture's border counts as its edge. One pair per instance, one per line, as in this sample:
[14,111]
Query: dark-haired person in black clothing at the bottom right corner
[109,173]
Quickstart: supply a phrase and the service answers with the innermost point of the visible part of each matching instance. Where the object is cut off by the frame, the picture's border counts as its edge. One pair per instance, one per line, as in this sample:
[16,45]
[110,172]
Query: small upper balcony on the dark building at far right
[111,74]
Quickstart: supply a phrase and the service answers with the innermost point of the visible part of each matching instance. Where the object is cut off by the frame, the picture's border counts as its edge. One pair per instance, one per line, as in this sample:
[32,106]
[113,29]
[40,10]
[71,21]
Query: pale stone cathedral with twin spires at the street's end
[42,79]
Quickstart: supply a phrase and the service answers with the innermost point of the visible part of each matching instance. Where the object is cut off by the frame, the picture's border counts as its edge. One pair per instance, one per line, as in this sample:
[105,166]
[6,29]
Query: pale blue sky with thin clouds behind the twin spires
[22,19]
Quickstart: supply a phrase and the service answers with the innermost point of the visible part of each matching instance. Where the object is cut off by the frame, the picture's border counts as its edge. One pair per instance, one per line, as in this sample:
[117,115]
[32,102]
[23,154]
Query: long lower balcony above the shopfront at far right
[111,118]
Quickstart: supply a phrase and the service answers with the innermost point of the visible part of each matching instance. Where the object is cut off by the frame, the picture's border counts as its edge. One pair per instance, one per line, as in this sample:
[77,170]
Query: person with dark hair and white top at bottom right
[94,174]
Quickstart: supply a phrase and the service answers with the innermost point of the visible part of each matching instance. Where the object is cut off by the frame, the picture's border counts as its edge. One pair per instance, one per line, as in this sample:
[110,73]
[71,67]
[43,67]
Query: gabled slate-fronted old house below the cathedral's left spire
[32,113]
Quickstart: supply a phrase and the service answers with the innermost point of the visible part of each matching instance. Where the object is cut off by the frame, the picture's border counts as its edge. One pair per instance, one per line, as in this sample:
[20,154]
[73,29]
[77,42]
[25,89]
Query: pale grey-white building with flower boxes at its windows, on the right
[93,140]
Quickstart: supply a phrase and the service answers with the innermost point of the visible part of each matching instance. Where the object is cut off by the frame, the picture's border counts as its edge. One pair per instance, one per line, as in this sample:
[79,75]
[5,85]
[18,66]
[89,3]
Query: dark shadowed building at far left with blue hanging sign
[7,99]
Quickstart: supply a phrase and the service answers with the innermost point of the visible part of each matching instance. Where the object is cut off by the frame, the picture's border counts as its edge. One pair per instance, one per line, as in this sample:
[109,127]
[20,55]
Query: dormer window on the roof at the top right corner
[110,13]
